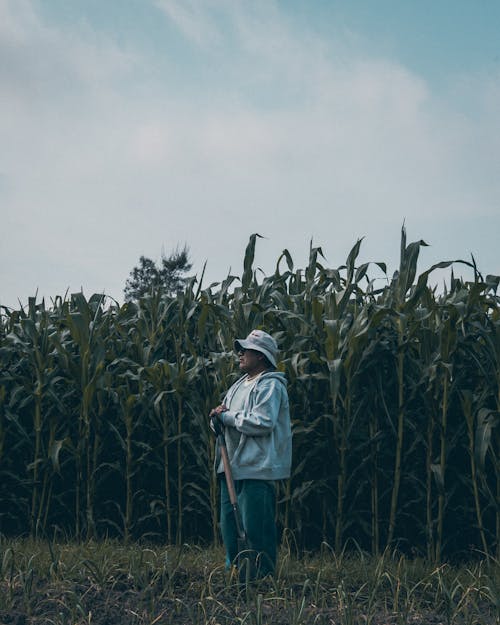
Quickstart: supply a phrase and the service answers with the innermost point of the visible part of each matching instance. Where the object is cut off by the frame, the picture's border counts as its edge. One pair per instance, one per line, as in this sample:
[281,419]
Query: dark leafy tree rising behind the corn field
[148,277]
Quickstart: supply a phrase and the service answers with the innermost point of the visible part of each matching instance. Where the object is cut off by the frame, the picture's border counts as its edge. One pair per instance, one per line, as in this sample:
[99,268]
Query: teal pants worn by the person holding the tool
[257,503]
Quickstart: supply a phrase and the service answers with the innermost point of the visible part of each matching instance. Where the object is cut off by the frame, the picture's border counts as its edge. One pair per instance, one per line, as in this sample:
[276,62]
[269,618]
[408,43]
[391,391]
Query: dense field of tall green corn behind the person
[394,395]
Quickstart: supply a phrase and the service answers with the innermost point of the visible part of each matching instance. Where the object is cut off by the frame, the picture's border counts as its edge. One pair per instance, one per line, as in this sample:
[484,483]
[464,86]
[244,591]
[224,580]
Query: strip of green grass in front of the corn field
[107,583]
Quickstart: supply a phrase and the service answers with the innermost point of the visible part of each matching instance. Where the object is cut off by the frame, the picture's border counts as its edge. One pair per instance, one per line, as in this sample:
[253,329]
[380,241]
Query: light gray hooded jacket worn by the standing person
[264,451]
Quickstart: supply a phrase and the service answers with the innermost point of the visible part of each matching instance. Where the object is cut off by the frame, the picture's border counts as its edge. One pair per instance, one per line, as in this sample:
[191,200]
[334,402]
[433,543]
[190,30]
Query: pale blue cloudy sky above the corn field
[135,127]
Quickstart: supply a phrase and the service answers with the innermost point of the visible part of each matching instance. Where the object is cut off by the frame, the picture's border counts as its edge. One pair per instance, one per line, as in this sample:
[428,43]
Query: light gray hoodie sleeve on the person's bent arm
[263,414]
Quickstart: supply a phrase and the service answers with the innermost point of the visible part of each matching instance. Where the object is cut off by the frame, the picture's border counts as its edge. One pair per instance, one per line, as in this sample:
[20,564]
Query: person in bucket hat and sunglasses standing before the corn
[256,418]
